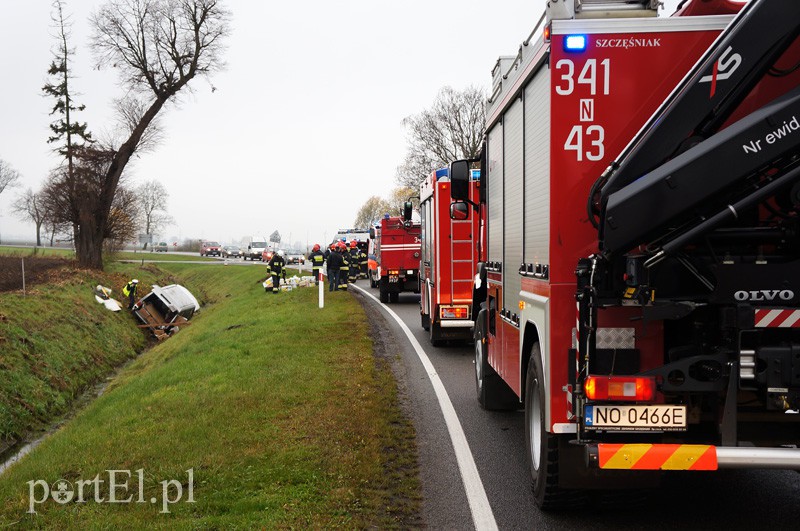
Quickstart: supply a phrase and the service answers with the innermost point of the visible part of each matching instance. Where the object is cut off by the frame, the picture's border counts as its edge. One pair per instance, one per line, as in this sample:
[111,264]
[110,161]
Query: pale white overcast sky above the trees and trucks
[304,125]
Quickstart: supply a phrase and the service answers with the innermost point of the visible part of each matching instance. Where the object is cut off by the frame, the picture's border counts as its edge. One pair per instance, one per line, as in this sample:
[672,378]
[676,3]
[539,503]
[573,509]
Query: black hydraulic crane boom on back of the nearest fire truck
[681,170]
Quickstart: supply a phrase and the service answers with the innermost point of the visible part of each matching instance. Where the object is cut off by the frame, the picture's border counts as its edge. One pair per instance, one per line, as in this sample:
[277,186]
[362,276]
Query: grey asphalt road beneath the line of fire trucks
[726,499]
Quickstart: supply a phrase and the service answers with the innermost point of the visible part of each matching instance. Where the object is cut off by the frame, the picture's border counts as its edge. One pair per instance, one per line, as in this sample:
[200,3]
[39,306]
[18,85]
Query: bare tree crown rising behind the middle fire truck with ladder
[451,129]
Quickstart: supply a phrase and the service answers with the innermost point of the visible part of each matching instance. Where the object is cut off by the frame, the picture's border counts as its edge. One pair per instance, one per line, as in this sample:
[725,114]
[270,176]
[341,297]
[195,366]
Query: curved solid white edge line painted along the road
[482,515]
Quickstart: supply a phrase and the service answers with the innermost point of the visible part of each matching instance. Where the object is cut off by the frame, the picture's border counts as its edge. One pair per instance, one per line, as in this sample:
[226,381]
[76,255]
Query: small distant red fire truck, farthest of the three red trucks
[397,249]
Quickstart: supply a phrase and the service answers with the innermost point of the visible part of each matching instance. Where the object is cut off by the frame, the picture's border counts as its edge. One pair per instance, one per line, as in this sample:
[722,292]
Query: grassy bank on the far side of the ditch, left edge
[55,342]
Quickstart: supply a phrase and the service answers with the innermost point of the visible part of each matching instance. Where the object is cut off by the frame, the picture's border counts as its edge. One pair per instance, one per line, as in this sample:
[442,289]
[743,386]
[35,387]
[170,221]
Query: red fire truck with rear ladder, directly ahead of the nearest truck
[449,257]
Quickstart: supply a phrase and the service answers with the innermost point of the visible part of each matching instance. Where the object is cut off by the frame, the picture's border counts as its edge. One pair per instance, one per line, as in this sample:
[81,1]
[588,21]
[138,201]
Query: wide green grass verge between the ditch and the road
[280,410]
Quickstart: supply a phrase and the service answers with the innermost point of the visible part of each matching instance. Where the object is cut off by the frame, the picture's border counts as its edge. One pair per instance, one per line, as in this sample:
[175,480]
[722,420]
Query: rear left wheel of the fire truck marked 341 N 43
[542,447]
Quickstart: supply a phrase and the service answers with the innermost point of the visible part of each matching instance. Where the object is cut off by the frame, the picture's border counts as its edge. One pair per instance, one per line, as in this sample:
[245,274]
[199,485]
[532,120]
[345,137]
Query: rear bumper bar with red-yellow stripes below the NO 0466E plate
[688,457]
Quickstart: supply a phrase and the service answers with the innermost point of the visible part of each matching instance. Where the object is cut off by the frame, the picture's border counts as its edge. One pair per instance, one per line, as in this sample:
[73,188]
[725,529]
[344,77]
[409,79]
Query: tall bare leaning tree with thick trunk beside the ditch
[157,47]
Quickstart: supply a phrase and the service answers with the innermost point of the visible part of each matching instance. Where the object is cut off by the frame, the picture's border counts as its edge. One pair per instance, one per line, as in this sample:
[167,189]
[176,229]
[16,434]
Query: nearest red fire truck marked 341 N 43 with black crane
[643,310]
